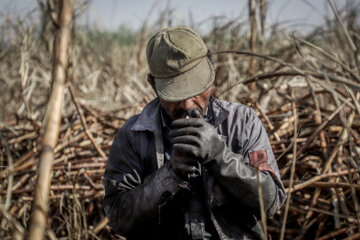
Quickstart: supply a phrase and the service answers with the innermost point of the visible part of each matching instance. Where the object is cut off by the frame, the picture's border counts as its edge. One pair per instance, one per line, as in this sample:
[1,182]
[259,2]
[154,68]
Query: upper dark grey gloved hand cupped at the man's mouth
[196,138]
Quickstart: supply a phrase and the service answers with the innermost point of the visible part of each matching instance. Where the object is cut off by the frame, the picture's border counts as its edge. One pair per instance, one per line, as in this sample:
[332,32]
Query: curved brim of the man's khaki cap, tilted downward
[188,84]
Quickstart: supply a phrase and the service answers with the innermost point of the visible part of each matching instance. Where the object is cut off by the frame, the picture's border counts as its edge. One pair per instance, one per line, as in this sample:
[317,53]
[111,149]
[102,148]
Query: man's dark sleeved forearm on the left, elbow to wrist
[133,207]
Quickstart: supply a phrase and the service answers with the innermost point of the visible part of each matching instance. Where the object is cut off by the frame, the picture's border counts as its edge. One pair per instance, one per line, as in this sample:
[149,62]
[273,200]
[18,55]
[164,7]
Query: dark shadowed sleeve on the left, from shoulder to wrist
[129,201]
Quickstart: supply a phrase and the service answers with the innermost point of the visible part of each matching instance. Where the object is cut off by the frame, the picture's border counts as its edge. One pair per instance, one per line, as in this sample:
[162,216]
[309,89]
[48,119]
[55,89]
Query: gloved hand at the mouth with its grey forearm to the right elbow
[198,139]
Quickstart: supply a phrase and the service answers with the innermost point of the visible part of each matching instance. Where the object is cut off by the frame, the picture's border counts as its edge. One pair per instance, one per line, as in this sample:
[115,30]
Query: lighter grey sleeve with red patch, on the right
[237,172]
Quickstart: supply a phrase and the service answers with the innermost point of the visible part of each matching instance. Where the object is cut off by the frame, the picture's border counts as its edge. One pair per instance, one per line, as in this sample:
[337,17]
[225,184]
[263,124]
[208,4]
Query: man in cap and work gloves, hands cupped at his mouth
[186,166]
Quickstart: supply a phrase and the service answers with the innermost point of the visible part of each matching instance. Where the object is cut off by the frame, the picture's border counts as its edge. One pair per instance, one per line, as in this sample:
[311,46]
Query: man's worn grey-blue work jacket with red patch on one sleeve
[140,190]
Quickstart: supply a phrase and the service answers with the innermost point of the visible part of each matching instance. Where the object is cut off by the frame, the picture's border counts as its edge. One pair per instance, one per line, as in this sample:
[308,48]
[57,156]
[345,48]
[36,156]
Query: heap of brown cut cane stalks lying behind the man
[324,175]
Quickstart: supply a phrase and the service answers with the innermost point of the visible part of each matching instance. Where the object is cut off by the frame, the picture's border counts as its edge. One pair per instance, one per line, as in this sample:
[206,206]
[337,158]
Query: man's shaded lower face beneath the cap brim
[177,110]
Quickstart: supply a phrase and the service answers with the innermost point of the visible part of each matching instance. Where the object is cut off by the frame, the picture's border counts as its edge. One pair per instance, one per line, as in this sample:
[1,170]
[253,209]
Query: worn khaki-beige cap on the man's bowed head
[177,59]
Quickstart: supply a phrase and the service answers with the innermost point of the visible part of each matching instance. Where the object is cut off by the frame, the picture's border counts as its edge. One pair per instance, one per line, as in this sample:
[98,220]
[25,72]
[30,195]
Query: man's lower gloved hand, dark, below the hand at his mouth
[184,165]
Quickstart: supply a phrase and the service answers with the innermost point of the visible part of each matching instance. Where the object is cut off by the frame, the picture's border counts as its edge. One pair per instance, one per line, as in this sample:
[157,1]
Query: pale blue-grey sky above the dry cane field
[109,14]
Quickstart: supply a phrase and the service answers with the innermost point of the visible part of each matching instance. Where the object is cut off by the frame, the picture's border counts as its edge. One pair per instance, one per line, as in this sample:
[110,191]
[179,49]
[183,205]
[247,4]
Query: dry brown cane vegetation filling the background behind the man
[305,89]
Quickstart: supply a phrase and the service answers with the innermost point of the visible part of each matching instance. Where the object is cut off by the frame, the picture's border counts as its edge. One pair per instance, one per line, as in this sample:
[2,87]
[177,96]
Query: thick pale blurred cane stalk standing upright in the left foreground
[51,123]
